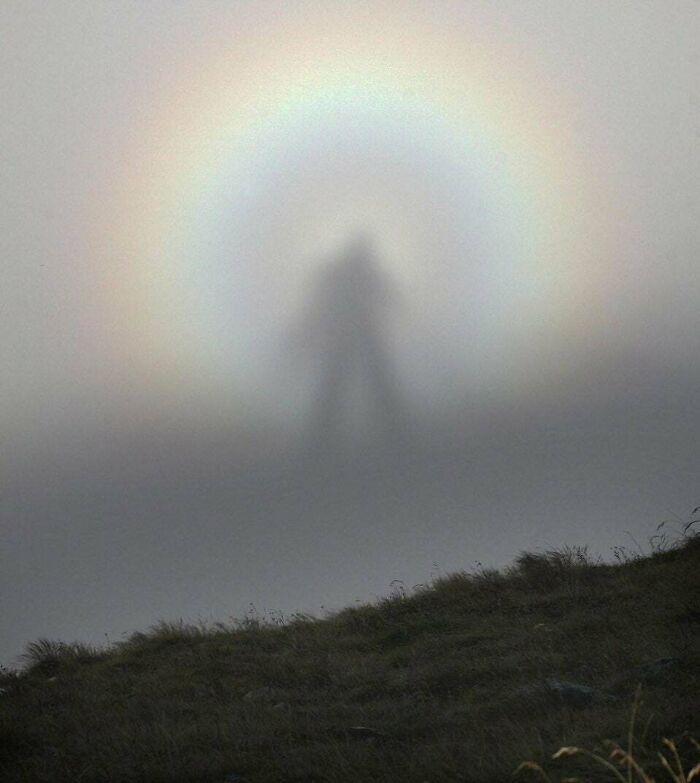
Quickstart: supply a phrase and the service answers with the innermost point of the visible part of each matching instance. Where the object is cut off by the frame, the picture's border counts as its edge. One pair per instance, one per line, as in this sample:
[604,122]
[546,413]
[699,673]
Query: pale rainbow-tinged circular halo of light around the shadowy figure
[270,150]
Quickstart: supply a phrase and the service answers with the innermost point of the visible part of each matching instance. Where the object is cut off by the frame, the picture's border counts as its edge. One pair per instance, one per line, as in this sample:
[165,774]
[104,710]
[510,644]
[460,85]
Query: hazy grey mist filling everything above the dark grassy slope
[263,430]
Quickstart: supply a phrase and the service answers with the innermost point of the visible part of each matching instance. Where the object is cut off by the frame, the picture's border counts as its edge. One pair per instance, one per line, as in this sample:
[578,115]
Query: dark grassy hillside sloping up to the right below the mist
[459,681]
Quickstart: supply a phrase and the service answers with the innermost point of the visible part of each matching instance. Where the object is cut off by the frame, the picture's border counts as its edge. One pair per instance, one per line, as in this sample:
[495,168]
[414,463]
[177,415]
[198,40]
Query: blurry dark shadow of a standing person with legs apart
[345,331]
